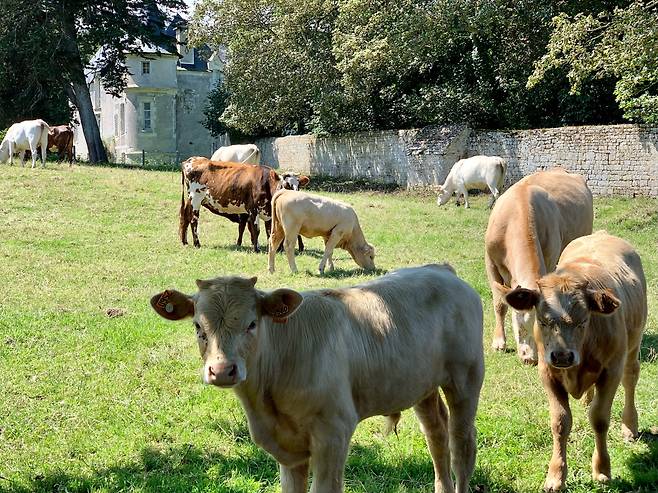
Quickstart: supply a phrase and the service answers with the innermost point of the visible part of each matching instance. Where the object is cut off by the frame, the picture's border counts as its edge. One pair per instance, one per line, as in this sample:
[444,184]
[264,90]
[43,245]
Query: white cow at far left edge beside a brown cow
[24,136]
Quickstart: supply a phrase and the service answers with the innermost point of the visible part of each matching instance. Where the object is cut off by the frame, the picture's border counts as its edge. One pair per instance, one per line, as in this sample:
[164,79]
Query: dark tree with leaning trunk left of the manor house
[72,31]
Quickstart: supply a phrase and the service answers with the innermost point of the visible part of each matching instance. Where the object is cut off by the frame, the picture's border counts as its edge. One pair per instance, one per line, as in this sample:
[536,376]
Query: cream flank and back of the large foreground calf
[382,343]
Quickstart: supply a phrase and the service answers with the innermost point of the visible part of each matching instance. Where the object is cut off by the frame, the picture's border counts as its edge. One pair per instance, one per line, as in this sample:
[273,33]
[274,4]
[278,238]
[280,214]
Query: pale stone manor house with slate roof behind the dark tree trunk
[161,108]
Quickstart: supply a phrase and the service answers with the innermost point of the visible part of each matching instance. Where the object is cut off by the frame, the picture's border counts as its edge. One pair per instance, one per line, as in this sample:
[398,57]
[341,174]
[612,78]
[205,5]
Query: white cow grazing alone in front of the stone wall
[477,172]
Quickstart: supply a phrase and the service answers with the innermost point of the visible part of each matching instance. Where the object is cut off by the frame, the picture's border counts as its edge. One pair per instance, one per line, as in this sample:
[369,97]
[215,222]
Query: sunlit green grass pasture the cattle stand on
[90,402]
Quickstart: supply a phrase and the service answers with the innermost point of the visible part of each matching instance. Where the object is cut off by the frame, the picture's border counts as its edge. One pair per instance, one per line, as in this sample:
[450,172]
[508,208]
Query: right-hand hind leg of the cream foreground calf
[463,395]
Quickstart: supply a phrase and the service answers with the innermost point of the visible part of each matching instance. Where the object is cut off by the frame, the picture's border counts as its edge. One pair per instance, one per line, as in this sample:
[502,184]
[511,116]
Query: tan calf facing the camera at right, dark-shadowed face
[589,319]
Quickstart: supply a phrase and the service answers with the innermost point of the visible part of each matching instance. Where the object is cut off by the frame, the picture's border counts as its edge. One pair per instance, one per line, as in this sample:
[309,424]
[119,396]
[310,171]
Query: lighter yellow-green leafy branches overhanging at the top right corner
[619,44]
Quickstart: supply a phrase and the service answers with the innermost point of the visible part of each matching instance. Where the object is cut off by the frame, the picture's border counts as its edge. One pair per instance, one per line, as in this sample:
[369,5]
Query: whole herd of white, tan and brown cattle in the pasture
[309,366]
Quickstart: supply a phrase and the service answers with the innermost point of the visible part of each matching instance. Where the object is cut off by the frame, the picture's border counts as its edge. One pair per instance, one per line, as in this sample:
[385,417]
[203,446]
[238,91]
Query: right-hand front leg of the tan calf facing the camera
[599,418]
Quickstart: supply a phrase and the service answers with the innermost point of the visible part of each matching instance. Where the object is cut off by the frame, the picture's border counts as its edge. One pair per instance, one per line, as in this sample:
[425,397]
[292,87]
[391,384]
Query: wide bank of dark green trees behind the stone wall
[345,65]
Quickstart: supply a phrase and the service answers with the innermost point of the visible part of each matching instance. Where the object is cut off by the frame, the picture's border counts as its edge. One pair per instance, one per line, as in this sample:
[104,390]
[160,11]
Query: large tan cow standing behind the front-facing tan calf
[528,228]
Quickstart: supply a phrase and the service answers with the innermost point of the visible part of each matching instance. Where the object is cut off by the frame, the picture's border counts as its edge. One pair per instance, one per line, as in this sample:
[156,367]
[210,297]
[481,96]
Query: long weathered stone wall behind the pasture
[616,159]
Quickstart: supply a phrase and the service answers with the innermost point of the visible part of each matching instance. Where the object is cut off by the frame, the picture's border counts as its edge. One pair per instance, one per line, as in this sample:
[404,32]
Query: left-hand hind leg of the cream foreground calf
[433,418]
